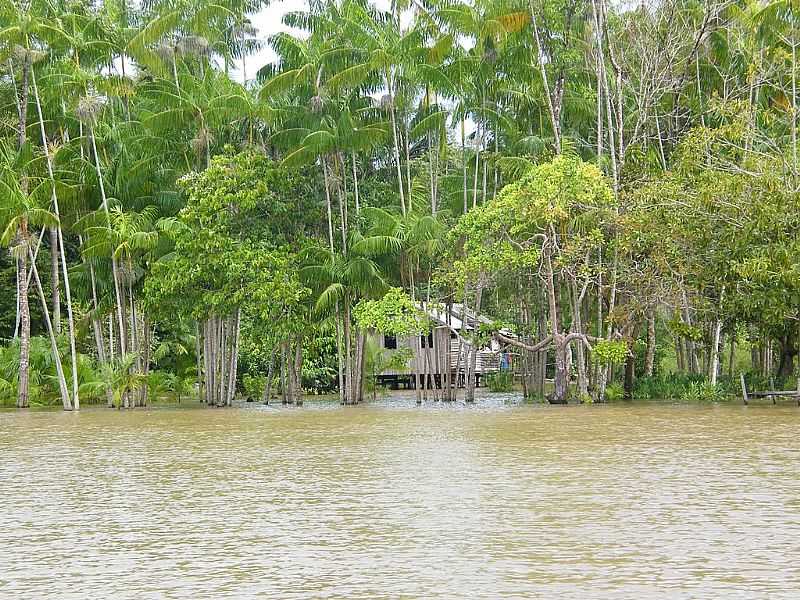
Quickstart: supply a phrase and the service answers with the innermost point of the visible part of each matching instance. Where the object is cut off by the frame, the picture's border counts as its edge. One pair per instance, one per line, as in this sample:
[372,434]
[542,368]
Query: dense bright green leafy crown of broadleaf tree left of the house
[231,247]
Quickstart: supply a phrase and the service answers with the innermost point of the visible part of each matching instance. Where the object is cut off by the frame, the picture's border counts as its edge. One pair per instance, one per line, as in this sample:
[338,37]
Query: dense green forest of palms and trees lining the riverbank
[615,183]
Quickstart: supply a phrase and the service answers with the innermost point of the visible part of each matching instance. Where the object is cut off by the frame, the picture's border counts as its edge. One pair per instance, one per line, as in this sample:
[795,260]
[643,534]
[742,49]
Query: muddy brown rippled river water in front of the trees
[496,500]
